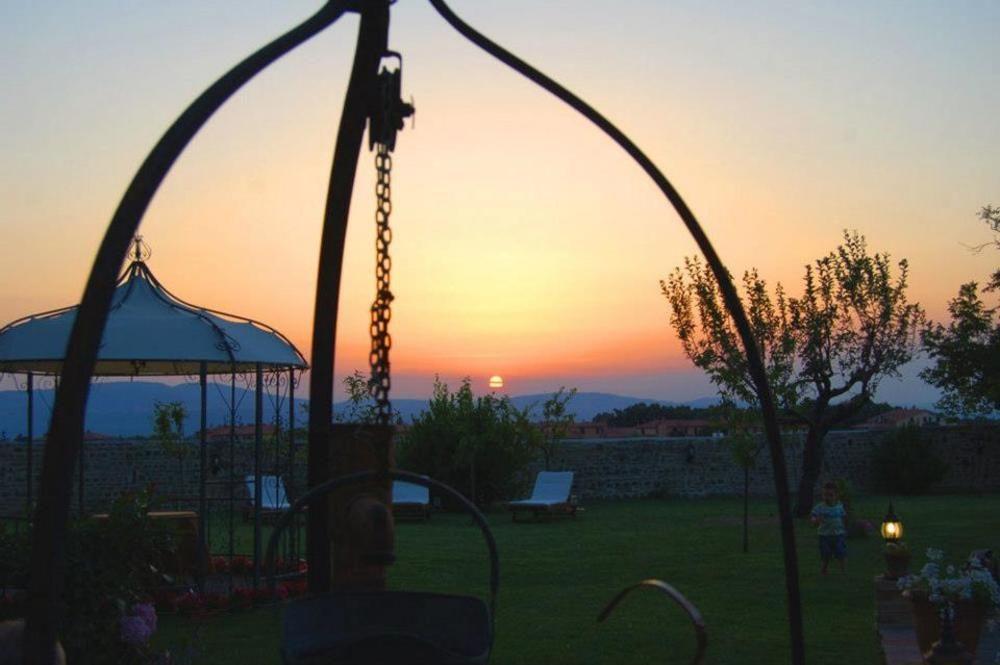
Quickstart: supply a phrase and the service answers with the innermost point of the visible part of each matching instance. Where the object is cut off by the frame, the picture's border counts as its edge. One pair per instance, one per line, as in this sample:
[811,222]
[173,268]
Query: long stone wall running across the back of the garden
[605,468]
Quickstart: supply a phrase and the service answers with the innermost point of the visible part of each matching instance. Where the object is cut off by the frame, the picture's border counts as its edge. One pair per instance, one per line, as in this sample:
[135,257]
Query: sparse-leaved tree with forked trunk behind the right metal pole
[825,352]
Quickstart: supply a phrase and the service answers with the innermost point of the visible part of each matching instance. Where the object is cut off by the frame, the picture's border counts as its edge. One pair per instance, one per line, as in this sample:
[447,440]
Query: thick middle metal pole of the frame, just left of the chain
[372,39]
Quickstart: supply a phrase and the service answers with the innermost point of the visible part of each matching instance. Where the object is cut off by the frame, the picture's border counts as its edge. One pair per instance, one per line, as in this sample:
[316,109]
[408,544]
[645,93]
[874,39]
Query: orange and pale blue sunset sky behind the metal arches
[525,243]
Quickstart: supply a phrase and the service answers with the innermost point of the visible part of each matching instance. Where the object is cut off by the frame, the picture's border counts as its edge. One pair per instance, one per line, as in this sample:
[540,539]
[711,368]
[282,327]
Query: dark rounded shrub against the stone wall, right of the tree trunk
[906,464]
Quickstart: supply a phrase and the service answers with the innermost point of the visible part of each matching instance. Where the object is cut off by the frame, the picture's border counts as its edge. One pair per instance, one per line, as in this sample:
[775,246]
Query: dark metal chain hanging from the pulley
[381,311]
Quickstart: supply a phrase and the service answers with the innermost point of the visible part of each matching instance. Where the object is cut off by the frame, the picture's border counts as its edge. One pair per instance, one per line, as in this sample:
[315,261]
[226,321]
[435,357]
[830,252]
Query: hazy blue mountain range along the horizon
[126,408]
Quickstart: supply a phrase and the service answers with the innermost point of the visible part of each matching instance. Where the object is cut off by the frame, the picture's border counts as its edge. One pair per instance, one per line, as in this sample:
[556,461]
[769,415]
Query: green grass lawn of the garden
[555,578]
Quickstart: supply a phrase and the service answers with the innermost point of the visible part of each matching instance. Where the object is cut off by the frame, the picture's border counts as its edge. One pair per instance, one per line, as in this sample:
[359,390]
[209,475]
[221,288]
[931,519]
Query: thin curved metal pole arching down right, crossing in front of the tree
[731,298]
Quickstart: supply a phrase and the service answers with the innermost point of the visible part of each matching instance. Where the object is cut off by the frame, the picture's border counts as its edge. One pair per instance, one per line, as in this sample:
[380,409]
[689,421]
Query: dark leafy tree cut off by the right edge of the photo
[966,353]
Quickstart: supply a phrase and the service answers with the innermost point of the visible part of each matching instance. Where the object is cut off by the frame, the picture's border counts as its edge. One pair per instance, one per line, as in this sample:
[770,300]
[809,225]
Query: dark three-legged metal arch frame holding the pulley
[48,558]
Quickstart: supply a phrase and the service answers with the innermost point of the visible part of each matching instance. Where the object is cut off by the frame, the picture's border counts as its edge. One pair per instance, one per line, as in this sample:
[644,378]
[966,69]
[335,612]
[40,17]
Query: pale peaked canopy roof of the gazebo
[149,332]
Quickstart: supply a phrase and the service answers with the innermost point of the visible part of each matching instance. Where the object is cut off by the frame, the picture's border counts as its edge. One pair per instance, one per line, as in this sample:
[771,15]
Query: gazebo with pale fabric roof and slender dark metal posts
[151,332]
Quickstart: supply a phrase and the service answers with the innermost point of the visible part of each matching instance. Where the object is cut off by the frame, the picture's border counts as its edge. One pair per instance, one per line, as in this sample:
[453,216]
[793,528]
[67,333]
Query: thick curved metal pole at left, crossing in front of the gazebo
[48,560]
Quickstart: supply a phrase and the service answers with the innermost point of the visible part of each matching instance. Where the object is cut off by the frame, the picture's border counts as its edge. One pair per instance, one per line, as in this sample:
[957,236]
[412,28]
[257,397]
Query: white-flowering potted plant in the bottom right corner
[969,589]
